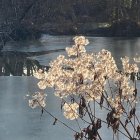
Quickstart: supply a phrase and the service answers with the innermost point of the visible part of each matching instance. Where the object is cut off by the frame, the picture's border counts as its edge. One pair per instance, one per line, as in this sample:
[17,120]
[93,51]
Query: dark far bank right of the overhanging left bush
[124,28]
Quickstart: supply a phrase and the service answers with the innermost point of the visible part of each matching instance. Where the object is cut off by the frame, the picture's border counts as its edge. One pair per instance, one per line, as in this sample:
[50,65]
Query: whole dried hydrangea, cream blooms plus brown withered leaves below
[86,76]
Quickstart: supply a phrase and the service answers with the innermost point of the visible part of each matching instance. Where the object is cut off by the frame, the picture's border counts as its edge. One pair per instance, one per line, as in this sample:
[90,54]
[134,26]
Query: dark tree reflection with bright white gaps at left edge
[17,65]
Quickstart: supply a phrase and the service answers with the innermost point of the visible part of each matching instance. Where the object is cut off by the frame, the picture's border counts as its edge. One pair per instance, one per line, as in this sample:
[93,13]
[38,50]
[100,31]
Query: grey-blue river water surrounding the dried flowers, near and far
[17,120]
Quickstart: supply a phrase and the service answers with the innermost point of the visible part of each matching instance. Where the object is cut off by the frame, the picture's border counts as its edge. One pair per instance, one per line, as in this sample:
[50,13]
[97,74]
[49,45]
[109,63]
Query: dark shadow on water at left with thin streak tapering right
[19,64]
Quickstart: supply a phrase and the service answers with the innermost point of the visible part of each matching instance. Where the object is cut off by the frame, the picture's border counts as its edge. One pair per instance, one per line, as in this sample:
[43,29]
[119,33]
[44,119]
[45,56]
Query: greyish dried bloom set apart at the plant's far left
[38,99]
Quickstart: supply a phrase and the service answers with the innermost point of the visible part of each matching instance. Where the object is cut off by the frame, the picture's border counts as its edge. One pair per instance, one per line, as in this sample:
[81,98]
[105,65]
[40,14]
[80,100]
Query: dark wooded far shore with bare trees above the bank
[27,17]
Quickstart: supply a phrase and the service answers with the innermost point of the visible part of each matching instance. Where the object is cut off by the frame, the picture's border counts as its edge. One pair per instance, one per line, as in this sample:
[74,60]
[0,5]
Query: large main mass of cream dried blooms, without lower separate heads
[86,74]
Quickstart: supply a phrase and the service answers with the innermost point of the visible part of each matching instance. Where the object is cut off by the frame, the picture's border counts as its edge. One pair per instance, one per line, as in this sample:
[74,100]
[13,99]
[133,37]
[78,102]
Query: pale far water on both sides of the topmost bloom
[119,47]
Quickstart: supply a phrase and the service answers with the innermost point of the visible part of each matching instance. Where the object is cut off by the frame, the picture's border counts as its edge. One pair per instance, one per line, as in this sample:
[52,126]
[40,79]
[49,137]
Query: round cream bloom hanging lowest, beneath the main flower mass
[70,111]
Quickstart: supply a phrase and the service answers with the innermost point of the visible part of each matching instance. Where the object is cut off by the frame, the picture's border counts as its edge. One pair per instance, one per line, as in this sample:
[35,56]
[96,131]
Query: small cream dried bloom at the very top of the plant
[81,40]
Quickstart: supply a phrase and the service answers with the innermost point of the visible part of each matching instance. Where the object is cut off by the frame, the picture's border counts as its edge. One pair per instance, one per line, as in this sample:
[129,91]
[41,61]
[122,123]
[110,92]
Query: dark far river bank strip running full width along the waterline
[124,28]
